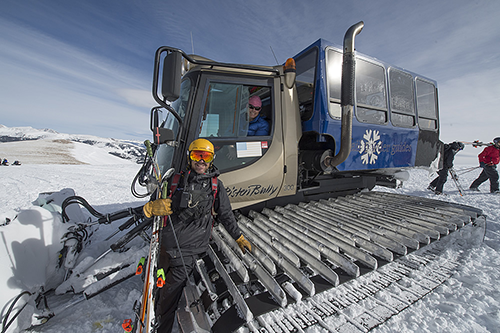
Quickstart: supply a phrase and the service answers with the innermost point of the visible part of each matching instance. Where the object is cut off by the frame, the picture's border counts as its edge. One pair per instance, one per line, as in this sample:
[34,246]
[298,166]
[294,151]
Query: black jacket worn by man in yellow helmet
[193,225]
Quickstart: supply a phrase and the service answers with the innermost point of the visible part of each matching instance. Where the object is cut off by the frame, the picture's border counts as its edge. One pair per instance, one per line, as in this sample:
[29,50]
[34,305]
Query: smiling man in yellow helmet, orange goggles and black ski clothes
[196,195]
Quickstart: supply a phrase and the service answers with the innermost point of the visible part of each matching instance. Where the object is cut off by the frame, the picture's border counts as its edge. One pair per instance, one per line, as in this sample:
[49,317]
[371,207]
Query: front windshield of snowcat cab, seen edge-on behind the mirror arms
[164,153]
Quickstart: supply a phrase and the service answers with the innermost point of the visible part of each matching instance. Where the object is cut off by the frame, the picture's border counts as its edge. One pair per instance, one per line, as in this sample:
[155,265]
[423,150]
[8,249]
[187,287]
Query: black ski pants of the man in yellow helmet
[167,298]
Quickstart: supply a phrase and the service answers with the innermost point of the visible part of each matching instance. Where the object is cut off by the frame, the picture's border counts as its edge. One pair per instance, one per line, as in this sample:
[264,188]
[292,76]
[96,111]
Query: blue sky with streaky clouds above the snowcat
[85,67]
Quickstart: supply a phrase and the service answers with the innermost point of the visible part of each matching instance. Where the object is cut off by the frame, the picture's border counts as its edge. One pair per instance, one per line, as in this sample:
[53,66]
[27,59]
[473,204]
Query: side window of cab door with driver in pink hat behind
[238,120]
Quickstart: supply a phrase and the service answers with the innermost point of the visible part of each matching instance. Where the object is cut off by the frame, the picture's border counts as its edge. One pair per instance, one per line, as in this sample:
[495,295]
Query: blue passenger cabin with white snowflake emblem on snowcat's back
[395,123]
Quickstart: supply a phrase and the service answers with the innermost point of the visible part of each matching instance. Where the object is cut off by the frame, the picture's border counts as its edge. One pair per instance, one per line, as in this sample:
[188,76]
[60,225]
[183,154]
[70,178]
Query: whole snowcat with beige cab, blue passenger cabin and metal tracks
[340,124]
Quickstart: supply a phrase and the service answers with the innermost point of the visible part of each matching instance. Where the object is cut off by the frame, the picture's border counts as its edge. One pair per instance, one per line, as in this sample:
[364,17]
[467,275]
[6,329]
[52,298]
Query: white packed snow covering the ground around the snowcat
[467,302]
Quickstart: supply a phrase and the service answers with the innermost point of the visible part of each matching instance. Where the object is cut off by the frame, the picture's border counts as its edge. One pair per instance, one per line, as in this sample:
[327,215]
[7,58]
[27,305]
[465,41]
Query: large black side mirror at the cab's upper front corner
[171,78]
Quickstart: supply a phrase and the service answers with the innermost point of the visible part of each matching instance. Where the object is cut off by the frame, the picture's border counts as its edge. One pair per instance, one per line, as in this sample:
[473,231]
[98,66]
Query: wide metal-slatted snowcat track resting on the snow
[346,264]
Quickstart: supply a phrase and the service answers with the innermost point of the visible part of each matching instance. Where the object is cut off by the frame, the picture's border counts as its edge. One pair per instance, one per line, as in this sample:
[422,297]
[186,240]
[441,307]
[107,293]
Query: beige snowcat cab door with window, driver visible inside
[248,148]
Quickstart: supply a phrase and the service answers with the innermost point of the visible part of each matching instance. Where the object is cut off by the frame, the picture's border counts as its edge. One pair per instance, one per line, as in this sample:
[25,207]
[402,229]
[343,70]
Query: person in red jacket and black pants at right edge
[488,160]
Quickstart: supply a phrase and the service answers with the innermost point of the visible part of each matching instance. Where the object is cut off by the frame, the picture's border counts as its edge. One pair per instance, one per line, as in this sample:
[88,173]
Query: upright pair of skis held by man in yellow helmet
[145,318]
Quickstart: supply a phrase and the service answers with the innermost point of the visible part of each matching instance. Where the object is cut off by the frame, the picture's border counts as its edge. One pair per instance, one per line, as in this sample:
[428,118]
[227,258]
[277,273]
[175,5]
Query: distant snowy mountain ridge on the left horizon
[125,149]
